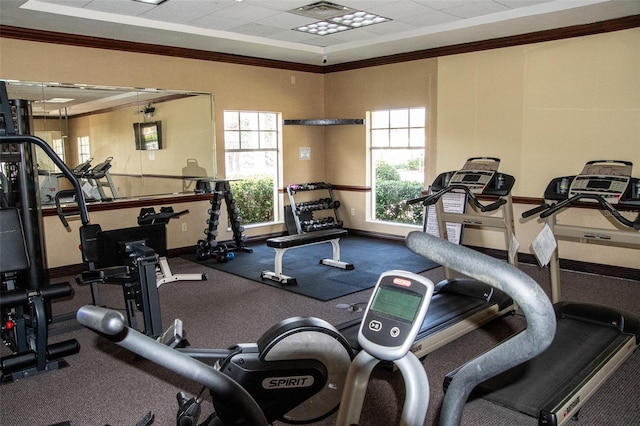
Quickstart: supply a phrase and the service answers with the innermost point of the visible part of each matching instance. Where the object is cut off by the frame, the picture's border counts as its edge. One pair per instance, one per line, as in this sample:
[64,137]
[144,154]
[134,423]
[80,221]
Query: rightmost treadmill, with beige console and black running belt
[591,341]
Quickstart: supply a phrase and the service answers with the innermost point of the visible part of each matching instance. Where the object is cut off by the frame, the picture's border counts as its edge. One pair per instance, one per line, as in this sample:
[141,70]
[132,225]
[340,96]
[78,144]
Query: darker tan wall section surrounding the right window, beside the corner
[350,94]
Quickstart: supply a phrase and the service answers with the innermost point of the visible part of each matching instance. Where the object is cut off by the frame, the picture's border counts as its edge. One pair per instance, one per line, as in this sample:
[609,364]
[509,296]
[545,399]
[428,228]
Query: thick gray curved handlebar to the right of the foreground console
[526,293]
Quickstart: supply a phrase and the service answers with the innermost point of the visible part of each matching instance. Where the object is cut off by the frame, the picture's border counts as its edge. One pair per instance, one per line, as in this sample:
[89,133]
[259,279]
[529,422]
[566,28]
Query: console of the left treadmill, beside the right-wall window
[480,175]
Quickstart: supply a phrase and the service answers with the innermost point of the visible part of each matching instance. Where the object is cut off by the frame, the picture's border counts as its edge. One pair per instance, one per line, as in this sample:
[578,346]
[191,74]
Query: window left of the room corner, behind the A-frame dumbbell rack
[252,149]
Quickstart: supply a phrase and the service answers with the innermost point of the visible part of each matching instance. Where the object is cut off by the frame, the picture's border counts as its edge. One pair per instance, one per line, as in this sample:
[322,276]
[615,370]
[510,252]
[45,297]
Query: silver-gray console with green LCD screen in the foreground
[394,314]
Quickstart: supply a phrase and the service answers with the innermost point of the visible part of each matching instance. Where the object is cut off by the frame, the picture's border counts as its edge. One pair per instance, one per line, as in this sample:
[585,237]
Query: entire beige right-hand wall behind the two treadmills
[543,109]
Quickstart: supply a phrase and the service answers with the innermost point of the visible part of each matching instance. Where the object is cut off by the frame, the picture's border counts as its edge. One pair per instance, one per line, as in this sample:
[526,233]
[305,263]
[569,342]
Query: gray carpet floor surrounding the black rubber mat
[107,385]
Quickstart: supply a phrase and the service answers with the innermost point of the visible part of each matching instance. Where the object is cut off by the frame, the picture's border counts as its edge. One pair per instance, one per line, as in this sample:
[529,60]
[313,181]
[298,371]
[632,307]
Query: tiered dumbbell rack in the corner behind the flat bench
[303,211]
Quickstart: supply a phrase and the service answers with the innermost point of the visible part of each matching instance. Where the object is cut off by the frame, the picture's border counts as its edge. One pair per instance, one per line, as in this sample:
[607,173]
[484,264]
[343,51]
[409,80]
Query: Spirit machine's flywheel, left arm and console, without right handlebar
[296,371]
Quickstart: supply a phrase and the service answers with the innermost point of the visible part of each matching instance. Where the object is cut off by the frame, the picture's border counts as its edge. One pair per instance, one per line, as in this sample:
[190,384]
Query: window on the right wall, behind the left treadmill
[397,143]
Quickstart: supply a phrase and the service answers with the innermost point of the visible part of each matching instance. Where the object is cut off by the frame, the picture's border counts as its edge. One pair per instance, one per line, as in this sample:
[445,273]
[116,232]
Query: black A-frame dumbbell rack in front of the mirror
[222,191]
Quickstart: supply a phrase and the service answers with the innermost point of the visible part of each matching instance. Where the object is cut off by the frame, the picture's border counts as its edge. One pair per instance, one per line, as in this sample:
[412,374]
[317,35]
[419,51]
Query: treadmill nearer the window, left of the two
[461,305]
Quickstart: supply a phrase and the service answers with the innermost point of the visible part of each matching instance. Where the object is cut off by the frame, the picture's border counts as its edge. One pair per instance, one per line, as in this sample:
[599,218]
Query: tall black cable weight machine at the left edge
[26,293]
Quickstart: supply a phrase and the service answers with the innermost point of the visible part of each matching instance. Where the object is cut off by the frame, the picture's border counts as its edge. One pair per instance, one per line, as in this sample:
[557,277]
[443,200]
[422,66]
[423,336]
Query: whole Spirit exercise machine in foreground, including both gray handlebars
[237,402]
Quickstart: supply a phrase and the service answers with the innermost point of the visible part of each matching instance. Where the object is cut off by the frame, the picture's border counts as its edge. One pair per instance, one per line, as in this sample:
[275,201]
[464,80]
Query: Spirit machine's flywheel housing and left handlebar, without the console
[294,373]
